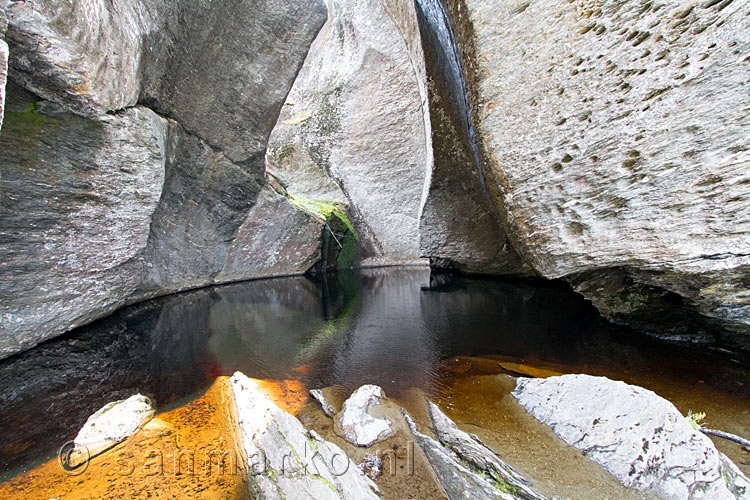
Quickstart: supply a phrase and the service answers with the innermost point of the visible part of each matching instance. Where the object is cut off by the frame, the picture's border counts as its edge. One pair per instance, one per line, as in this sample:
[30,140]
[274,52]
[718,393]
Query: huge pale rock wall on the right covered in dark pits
[617,138]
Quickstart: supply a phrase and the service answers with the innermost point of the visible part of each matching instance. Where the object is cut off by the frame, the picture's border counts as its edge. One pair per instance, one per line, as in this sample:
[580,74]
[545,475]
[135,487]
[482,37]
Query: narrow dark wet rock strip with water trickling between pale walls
[458,227]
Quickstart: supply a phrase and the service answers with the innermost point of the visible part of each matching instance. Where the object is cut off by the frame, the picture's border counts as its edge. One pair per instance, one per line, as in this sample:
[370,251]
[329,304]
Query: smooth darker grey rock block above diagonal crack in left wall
[226,73]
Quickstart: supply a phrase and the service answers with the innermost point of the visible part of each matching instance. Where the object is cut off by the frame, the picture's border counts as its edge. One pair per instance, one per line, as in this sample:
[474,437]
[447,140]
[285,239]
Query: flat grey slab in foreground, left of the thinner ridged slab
[458,481]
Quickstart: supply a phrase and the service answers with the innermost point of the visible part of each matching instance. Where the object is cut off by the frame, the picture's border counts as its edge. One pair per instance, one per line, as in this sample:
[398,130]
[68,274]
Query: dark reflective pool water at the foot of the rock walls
[384,326]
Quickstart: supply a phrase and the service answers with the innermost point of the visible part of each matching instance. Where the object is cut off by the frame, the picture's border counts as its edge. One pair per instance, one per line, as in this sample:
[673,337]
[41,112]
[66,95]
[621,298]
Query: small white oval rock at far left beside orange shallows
[112,424]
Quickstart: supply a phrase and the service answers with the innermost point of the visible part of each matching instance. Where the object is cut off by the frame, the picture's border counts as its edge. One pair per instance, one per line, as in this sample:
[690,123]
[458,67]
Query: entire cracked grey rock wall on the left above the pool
[132,154]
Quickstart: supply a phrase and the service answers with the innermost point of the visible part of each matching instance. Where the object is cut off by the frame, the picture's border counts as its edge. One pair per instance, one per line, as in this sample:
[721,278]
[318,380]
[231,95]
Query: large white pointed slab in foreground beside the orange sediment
[287,461]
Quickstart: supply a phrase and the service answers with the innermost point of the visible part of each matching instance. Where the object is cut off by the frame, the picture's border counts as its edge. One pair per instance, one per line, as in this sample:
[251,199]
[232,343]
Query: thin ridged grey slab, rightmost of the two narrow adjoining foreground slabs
[472,450]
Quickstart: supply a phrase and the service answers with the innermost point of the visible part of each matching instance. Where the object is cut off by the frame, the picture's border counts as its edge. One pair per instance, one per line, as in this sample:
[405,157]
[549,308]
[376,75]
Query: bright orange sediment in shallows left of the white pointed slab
[146,465]
